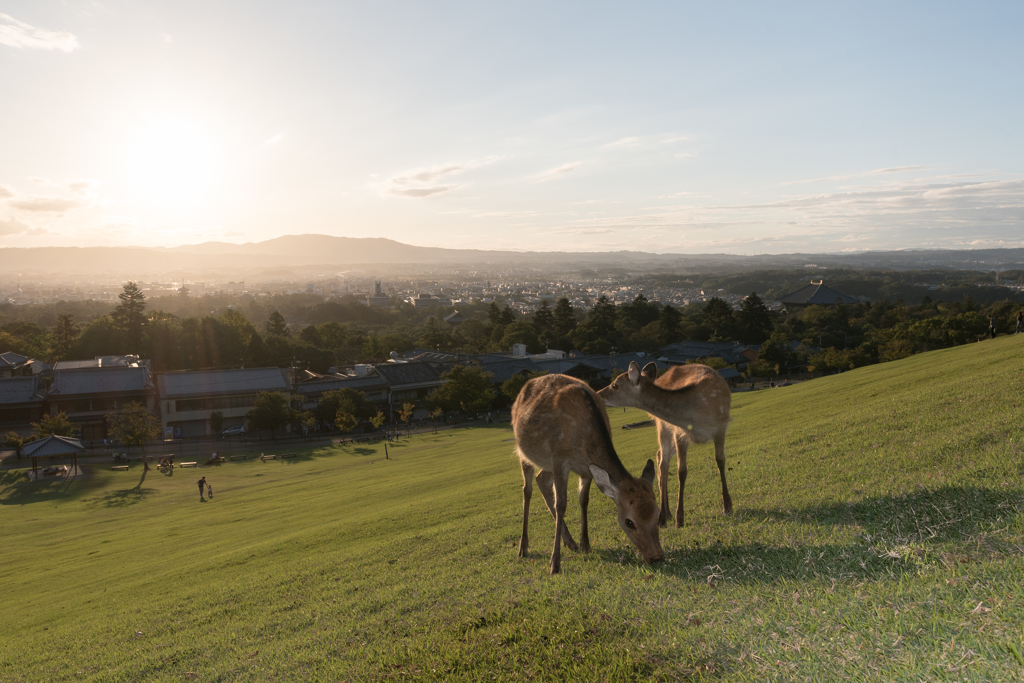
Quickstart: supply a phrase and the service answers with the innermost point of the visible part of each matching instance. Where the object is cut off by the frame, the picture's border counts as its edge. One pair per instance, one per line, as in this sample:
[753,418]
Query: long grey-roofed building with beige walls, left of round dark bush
[189,398]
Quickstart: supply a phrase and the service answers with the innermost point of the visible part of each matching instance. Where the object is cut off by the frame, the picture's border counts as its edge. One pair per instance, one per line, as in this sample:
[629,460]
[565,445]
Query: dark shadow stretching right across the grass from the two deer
[891,535]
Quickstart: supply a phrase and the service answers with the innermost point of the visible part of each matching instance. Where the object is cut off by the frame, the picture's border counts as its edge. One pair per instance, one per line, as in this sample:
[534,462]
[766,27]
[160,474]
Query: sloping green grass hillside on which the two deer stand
[879,535]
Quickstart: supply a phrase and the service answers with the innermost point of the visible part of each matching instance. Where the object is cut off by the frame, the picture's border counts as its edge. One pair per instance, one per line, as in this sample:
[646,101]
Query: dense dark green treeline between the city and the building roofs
[187,333]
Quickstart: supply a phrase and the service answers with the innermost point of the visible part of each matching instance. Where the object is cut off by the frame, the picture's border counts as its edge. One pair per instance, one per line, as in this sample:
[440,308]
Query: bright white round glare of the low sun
[173,165]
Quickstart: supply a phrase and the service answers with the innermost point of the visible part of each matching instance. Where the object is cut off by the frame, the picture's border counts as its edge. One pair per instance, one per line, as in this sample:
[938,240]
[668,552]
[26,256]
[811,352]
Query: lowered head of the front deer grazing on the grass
[638,510]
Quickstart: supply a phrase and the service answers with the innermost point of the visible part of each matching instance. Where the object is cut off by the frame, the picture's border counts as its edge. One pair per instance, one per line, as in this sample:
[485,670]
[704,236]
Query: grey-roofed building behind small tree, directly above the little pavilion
[89,391]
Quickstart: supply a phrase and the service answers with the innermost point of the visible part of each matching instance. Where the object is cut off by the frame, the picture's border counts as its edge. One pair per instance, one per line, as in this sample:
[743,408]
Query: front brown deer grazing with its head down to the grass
[561,428]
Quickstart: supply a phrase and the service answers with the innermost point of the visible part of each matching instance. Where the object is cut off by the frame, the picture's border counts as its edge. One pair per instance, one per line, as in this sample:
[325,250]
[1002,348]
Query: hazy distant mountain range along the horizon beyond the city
[305,255]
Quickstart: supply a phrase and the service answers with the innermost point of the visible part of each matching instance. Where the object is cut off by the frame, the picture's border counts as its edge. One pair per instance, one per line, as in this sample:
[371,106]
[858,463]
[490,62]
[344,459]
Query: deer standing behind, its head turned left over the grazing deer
[689,404]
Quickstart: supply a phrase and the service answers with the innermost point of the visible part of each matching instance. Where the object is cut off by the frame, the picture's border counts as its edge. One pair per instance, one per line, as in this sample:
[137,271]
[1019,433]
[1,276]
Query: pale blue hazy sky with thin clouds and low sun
[684,127]
